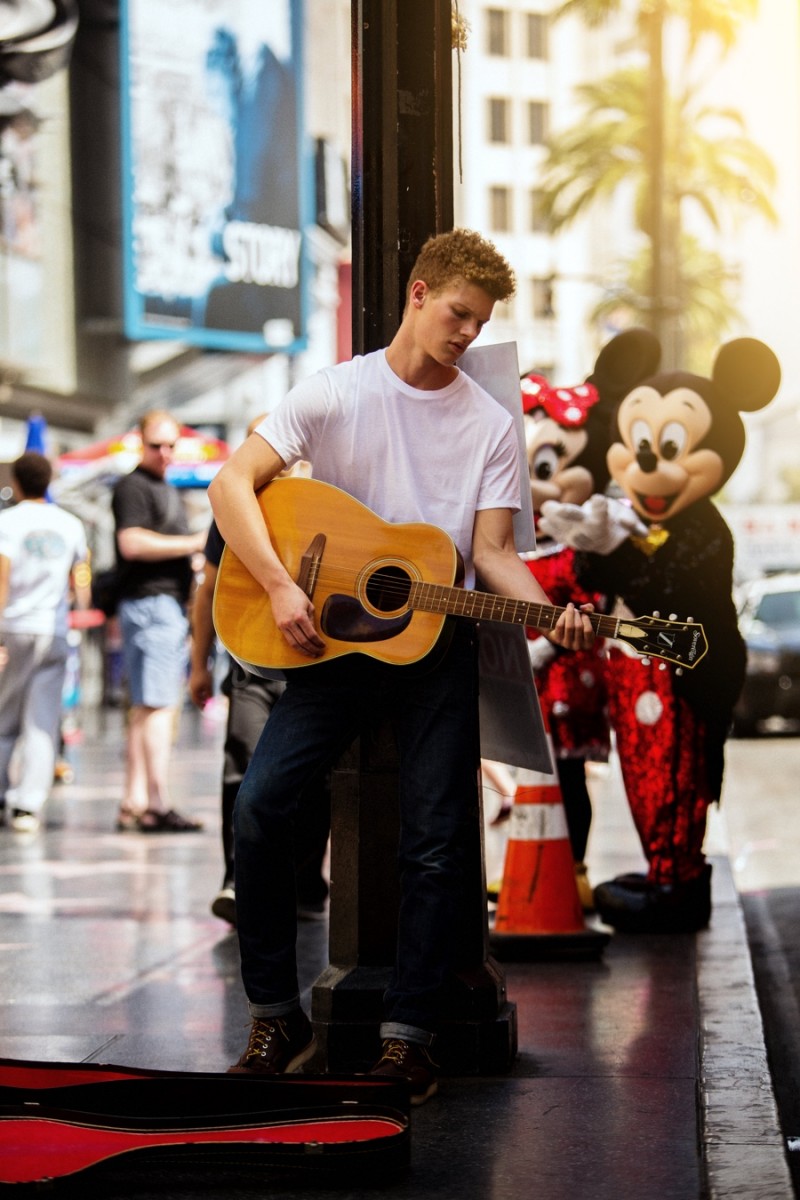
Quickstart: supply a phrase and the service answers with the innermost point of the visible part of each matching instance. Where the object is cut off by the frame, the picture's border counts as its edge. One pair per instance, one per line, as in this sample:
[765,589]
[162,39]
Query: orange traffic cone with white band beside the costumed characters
[539,911]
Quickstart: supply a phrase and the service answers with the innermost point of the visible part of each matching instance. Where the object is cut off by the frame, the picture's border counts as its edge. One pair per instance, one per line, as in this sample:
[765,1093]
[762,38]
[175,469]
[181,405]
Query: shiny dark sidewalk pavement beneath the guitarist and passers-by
[641,1075]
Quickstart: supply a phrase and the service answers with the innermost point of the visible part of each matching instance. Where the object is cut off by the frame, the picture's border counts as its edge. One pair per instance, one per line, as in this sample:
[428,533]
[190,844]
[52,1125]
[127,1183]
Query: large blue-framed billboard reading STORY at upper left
[215,189]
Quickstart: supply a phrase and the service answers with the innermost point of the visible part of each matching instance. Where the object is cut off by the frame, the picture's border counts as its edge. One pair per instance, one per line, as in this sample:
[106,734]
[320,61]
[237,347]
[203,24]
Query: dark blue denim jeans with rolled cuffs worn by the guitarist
[435,717]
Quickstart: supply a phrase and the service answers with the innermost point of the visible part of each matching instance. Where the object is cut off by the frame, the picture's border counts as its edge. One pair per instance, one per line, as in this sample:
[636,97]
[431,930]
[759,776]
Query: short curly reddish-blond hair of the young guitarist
[464,255]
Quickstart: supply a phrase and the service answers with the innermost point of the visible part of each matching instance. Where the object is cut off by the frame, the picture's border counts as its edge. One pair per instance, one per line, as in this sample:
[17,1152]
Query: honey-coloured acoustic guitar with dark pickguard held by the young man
[384,590]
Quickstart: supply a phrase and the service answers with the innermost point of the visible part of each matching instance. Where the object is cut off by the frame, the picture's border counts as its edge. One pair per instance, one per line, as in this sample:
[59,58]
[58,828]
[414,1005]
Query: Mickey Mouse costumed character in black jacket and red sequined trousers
[677,439]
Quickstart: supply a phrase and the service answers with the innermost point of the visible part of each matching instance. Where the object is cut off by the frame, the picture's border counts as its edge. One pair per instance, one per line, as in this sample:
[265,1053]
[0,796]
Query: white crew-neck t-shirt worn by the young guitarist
[407,454]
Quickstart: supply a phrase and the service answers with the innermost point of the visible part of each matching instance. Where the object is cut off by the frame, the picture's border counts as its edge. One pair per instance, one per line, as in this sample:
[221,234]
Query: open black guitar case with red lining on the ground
[68,1123]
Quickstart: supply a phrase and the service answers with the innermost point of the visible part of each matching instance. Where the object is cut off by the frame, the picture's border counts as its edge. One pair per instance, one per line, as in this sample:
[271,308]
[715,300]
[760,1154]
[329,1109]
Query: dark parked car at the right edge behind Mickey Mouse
[769,620]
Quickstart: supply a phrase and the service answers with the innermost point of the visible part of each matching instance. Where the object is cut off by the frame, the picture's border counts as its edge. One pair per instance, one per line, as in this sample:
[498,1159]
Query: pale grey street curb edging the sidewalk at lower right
[744,1148]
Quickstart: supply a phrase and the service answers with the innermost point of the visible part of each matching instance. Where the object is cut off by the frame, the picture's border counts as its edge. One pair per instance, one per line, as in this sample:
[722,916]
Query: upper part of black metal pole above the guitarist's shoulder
[402,153]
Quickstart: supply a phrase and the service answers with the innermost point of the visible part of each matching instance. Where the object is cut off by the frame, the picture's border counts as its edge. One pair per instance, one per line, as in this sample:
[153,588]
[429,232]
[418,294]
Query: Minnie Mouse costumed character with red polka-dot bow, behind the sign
[568,435]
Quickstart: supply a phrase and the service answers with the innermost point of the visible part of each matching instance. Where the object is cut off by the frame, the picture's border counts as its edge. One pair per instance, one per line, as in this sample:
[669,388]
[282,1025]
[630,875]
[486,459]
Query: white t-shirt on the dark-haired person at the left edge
[44,544]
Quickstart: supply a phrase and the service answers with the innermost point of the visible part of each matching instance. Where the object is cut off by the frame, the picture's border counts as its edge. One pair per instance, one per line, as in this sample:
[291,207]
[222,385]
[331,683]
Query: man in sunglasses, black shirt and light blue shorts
[154,554]
